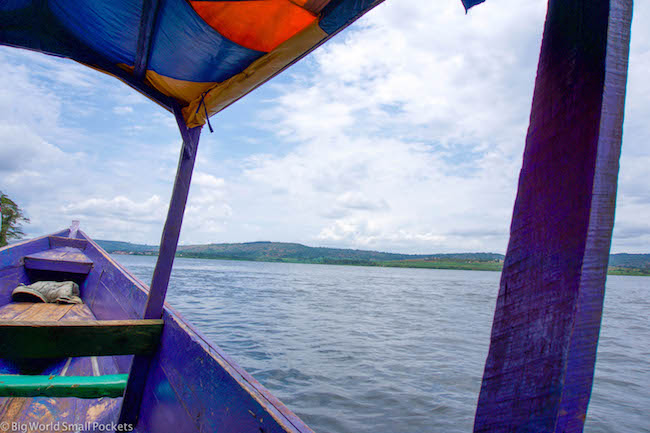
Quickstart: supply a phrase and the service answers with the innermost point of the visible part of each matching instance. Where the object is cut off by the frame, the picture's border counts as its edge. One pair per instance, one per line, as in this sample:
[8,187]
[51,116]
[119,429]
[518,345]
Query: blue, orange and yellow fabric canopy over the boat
[201,55]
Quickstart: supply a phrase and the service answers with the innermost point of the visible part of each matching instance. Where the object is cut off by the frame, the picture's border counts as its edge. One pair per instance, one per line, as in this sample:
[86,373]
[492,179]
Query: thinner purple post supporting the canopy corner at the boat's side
[162,272]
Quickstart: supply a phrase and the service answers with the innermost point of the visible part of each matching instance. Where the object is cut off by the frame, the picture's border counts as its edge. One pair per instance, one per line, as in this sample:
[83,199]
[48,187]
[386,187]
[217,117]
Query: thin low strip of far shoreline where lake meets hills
[491,266]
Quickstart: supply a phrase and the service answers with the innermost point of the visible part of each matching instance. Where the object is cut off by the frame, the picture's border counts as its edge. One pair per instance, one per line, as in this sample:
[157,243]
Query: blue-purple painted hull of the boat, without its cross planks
[192,386]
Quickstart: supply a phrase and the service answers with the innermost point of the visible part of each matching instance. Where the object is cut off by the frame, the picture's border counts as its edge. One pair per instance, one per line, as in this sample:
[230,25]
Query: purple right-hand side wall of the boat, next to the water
[192,386]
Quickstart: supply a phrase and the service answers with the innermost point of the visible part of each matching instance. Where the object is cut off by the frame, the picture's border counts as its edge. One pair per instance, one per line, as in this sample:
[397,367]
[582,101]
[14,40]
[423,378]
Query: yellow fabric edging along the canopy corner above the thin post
[222,94]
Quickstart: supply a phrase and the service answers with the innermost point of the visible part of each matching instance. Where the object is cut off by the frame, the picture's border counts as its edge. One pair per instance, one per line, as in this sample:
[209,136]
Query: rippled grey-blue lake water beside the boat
[363,349]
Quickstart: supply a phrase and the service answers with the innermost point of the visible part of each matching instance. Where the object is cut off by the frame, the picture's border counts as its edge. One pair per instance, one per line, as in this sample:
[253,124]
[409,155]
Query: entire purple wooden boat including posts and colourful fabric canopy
[138,363]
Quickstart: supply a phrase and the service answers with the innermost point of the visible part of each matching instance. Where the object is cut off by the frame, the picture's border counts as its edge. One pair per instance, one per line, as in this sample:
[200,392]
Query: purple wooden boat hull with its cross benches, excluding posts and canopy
[86,350]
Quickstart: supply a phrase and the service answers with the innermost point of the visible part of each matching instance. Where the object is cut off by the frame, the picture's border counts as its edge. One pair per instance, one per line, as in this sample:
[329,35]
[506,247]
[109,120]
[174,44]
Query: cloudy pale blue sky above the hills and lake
[404,133]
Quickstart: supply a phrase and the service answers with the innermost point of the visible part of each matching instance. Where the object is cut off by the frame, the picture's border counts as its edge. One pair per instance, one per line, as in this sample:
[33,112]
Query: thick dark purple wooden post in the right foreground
[539,370]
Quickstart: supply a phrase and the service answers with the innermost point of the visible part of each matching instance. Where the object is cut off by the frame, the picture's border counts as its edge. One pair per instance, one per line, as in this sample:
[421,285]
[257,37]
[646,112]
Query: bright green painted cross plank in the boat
[62,386]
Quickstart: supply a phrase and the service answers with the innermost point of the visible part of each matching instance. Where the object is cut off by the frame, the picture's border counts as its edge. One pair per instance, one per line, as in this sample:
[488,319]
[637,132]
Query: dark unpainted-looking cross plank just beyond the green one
[46,339]
